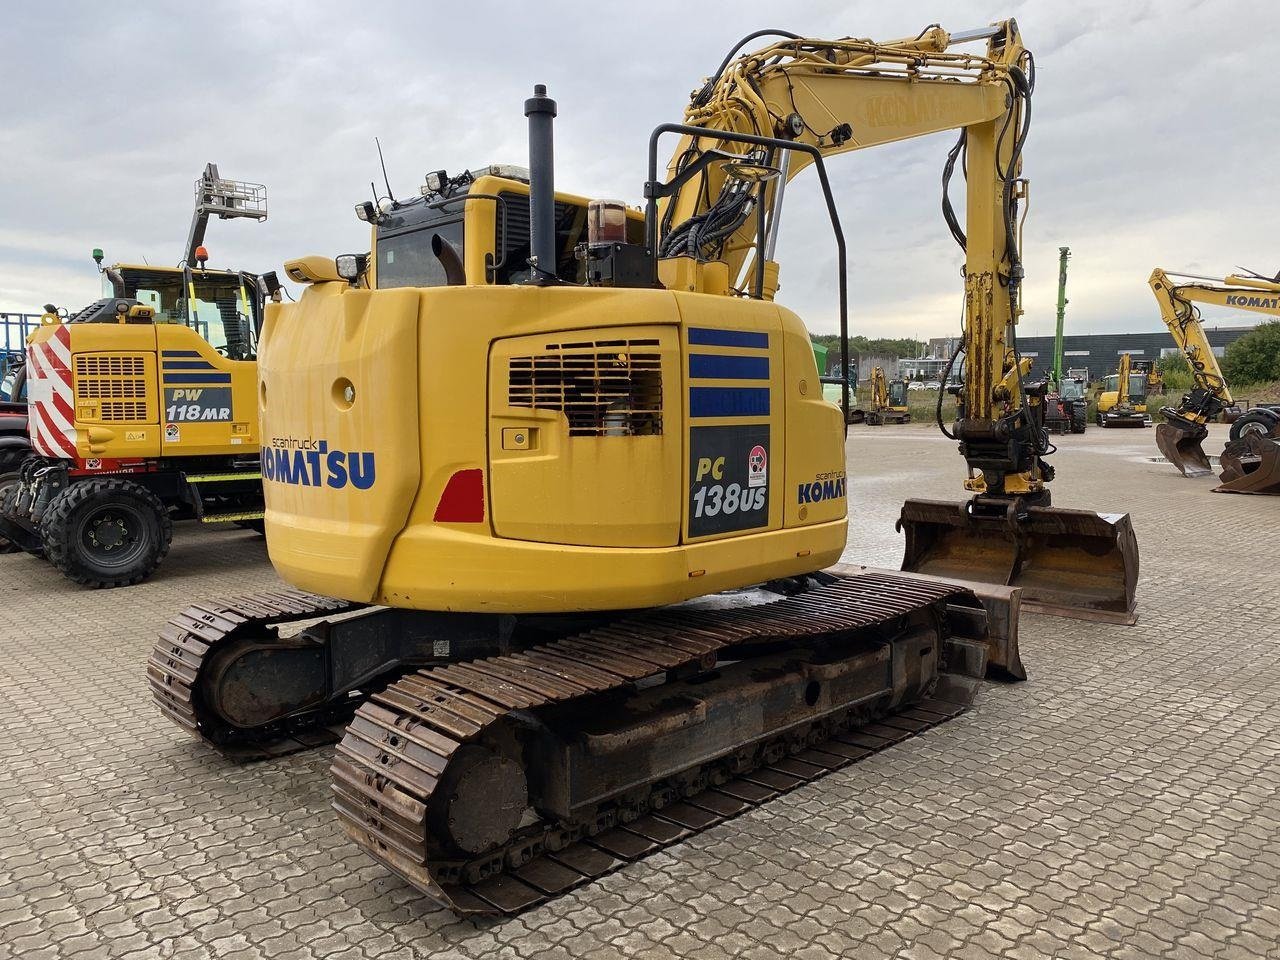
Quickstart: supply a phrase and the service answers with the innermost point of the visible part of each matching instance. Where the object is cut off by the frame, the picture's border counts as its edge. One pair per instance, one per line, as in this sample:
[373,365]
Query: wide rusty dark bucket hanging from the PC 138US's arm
[1069,563]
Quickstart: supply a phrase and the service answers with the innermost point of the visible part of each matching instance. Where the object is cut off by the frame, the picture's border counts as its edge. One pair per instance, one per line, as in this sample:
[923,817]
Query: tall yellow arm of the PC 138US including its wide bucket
[797,103]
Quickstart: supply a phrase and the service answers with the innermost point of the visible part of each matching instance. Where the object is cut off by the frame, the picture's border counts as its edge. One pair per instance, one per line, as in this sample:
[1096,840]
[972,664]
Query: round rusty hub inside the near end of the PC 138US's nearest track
[481,801]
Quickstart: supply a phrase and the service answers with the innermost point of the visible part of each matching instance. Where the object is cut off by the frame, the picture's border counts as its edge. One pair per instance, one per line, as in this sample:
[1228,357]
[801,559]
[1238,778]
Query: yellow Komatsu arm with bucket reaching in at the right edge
[1186,426]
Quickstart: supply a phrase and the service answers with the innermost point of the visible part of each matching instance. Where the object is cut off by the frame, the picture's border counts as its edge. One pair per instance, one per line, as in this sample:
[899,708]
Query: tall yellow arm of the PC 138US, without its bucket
[720,228]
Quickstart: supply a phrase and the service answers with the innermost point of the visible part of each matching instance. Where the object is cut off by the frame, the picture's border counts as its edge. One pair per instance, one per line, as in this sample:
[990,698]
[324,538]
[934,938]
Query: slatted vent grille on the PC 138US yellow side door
[605,388]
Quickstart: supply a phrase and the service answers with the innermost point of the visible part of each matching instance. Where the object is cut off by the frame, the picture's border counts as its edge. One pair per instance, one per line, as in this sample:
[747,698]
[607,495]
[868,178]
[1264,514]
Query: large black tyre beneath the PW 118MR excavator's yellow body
[107,533]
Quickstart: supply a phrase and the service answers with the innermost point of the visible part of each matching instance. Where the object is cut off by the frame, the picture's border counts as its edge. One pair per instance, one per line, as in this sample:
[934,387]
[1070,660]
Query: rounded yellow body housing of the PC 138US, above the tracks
[518,449]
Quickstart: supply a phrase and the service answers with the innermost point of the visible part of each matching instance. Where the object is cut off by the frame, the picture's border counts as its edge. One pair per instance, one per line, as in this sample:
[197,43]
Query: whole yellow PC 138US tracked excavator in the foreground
[564,486]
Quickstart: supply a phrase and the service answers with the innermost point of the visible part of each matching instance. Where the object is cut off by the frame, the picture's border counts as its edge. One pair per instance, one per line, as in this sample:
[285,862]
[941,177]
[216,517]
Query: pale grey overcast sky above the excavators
[1153,139]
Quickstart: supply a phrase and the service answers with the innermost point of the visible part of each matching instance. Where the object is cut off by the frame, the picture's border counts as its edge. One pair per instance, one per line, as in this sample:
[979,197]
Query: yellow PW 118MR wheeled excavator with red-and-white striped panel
[143,409]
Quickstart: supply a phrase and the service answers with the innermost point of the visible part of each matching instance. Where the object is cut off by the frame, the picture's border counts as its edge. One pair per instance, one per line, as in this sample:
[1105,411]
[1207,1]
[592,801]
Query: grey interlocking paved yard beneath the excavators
[1123,803]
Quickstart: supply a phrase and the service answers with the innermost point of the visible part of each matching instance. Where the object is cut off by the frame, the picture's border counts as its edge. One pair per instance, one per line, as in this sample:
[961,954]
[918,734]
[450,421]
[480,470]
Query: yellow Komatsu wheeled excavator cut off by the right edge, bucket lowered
[1251,463]
